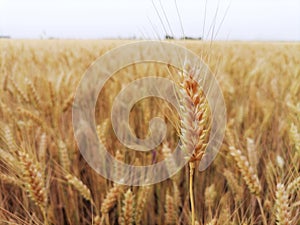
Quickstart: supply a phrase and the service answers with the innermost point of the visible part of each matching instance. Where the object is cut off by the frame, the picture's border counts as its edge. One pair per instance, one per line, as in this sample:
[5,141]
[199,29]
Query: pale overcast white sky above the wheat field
[244,20]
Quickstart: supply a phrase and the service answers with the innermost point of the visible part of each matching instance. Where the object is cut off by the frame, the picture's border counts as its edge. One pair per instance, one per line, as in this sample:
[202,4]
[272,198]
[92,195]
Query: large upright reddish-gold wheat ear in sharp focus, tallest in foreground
[194,116]
